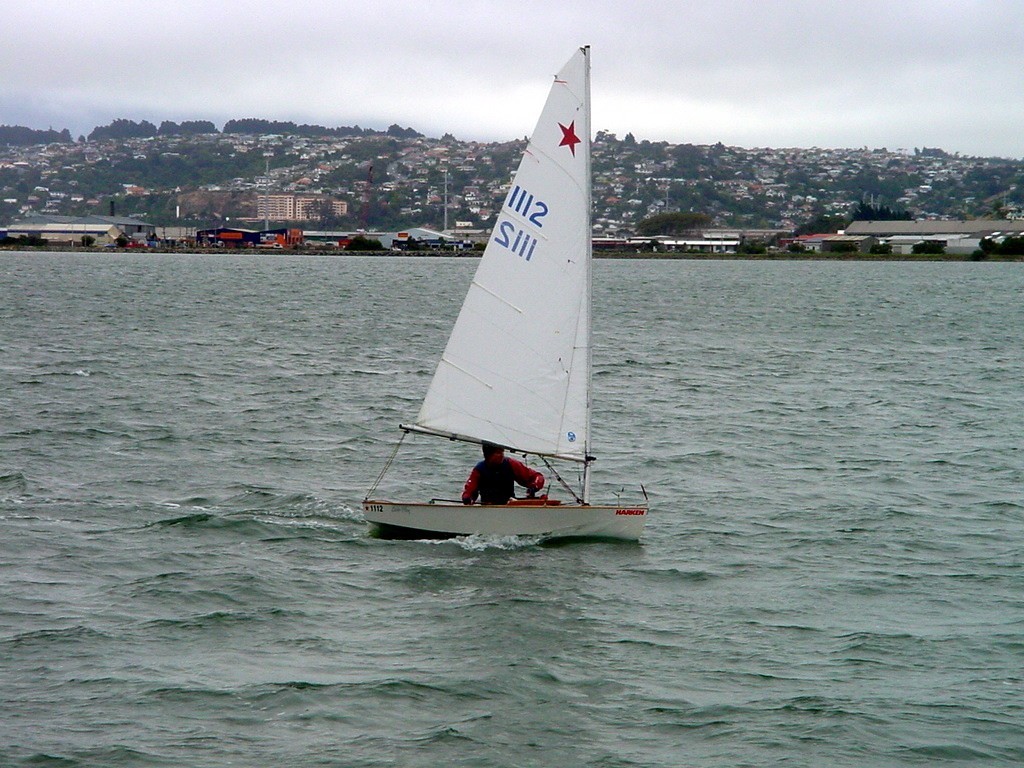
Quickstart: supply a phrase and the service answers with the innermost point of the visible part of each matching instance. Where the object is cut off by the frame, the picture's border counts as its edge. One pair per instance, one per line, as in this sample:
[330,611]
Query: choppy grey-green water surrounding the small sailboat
[833,573]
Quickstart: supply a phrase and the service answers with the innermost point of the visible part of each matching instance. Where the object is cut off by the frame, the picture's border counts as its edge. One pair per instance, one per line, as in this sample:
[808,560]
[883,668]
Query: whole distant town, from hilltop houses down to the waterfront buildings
[302,185]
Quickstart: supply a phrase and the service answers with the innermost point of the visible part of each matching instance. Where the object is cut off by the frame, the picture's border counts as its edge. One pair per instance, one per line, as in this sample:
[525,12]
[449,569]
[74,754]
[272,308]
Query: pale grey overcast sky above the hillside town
[751,73]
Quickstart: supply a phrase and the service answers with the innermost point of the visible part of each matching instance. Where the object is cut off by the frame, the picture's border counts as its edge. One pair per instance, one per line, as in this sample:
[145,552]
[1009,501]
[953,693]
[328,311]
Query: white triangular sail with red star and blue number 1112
[517,369]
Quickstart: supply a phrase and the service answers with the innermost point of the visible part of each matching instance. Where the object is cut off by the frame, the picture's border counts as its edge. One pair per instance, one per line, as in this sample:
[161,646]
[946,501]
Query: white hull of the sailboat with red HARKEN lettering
[445,520]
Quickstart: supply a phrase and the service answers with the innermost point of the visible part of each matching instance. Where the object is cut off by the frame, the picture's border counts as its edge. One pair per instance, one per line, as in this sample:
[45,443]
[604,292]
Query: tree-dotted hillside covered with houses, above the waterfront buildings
[400,179]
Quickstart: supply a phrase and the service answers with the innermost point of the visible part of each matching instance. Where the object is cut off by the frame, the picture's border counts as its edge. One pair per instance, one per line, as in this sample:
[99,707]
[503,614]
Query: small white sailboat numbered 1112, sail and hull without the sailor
[517,372]
